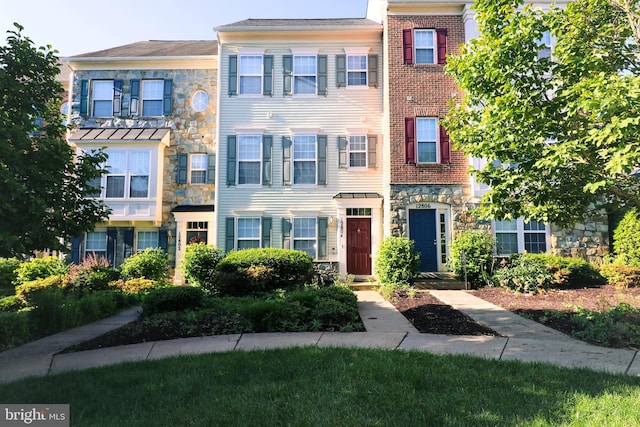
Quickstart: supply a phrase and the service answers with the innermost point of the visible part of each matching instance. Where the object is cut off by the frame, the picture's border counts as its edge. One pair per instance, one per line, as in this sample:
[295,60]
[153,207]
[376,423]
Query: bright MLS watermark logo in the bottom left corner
[36,415]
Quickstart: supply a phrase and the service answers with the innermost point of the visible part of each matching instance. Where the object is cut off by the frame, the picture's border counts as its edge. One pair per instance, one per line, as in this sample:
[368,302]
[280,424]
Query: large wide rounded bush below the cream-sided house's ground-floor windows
[249,271]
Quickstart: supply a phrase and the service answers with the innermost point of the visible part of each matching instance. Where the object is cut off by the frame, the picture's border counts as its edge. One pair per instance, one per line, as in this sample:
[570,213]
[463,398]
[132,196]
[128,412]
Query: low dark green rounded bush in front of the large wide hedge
[173,298]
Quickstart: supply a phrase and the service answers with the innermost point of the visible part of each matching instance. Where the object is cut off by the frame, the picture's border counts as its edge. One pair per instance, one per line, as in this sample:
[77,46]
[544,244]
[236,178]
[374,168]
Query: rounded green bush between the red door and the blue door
[397,262]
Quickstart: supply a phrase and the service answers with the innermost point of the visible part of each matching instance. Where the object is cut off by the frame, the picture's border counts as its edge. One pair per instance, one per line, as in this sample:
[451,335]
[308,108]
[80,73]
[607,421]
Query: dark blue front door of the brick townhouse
[422,230]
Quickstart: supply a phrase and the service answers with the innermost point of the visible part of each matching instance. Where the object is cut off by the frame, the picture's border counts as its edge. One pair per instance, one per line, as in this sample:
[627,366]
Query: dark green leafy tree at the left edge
[44,186]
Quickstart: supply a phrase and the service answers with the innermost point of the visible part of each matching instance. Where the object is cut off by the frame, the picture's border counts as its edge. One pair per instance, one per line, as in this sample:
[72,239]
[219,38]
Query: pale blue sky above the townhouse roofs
[80,27]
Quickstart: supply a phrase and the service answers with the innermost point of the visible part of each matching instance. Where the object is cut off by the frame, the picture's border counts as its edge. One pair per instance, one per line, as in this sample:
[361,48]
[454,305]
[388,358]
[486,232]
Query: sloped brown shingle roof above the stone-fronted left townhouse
[157,48]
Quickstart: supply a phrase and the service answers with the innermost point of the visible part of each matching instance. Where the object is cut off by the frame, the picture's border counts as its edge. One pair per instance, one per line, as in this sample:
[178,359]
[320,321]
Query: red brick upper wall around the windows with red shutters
[421,90]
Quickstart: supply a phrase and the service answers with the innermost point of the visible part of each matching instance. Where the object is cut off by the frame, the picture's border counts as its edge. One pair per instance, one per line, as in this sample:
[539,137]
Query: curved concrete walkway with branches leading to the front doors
[521,339]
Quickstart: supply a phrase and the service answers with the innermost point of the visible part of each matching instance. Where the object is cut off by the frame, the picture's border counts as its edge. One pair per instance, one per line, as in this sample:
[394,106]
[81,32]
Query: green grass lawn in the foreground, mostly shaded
[335,387]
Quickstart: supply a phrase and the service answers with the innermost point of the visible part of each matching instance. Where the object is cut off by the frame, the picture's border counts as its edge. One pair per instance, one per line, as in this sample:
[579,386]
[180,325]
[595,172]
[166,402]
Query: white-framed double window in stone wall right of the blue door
[514,236]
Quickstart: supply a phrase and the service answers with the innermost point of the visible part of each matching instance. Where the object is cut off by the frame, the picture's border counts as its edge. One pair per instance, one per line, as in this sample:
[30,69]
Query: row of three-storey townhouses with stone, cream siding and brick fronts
[321,135]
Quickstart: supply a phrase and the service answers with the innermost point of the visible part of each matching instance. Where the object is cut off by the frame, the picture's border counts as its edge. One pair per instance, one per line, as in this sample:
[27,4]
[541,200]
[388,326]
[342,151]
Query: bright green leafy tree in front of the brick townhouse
[559,128]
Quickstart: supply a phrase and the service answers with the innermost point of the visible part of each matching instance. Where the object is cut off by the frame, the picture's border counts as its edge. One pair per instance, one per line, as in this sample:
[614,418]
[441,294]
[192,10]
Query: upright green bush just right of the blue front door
[472,250]
